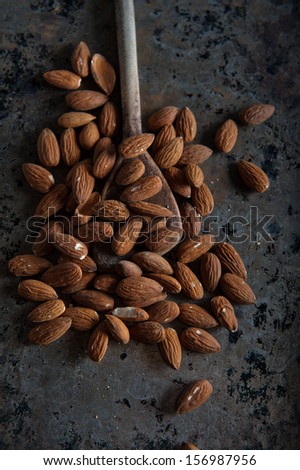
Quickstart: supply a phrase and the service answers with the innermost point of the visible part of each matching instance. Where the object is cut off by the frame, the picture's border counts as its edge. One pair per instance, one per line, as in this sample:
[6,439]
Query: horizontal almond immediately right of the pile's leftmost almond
[62,275]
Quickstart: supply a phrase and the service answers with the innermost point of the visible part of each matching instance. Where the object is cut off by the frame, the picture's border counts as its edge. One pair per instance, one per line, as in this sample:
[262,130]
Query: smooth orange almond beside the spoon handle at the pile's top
[103,73]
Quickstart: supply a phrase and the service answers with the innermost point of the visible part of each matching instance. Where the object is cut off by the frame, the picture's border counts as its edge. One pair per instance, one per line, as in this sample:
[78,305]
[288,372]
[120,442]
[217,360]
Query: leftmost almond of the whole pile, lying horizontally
[28,265]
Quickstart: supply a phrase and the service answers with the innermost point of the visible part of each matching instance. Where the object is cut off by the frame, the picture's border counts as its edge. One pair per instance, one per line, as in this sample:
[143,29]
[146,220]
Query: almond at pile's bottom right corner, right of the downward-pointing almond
[198,340]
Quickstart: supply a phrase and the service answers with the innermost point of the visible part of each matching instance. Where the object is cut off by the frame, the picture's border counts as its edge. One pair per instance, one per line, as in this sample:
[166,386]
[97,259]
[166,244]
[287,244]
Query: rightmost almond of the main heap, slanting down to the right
[236,289]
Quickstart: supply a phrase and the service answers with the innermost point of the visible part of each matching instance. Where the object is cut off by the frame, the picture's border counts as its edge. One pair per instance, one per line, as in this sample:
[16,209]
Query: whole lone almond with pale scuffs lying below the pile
[193,396]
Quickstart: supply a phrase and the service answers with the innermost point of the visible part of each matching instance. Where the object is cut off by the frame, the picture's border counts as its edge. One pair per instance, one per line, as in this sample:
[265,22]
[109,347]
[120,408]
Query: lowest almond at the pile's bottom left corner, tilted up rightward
[48,332]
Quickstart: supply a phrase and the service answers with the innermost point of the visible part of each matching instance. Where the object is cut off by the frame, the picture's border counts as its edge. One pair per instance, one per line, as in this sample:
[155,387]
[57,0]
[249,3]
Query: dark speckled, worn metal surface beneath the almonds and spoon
[215,57]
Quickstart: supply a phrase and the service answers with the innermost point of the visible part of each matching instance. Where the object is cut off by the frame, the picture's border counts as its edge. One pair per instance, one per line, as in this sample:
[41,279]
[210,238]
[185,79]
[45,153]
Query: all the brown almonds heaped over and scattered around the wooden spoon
[131,301]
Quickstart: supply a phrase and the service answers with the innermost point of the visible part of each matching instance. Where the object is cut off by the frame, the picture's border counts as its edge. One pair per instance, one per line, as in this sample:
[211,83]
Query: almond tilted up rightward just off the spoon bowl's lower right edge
[191,249]
